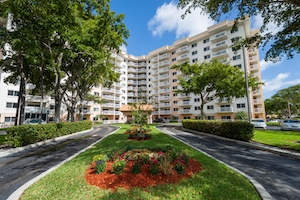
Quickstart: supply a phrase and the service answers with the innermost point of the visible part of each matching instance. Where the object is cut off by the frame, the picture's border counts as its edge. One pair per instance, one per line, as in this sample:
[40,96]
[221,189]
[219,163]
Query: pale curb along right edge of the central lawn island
[264,194]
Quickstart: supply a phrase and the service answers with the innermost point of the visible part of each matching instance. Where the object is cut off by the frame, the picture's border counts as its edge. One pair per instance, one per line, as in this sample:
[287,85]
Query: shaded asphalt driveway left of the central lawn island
[18,168]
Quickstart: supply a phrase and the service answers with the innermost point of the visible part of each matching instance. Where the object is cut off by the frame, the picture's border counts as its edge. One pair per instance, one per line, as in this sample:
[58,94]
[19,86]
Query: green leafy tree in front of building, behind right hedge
[212,80]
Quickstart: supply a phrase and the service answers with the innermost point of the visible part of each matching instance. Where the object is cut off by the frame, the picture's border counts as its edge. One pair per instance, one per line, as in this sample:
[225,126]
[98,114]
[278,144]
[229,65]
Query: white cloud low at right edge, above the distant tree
[279,82]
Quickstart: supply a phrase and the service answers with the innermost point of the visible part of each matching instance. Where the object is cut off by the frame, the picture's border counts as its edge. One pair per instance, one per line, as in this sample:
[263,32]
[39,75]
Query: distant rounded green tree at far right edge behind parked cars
[284,103]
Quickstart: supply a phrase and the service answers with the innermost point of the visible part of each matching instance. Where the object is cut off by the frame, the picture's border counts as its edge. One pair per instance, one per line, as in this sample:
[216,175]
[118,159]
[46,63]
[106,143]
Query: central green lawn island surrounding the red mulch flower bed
[215,181]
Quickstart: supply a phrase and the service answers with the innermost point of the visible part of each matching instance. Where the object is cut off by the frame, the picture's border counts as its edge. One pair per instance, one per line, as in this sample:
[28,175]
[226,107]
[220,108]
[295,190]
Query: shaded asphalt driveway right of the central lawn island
[279,175]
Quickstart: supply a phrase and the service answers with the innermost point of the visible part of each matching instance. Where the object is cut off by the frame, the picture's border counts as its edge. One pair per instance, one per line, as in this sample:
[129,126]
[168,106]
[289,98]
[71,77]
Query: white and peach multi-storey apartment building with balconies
[151,77]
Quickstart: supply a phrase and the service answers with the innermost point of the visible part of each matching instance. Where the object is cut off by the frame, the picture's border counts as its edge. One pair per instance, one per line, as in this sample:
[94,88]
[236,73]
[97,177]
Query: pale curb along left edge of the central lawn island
[17,193]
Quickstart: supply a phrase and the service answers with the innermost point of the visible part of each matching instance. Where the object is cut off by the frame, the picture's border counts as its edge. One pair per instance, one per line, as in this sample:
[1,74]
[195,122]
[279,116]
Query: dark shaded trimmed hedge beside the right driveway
[235,130]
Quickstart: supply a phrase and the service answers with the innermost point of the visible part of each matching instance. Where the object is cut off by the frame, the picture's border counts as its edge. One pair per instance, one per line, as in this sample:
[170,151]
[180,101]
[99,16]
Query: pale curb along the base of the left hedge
[61,138]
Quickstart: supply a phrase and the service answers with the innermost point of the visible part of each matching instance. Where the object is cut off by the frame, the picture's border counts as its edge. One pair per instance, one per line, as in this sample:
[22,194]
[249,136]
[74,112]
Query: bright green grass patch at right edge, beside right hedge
[280,139]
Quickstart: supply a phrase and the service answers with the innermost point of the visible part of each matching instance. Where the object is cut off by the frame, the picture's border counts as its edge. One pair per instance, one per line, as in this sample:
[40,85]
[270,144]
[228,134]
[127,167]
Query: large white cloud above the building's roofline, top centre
[168,18]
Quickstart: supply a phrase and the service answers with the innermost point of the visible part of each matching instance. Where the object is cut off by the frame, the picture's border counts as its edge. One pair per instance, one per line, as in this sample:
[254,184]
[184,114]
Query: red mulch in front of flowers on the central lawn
[127,180]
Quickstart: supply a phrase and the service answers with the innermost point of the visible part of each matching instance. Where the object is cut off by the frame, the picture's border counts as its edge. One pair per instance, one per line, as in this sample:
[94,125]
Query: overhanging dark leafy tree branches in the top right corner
[283,14]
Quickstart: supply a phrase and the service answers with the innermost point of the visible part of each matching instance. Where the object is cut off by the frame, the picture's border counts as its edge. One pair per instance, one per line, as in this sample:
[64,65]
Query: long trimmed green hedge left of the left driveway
[23,135]
